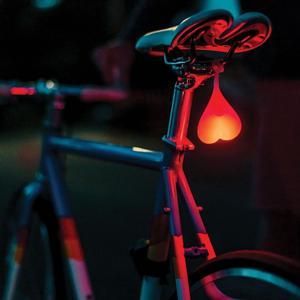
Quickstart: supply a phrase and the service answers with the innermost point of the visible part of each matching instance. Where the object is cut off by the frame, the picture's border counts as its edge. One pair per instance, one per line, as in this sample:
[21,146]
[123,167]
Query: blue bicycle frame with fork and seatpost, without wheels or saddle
[166,228]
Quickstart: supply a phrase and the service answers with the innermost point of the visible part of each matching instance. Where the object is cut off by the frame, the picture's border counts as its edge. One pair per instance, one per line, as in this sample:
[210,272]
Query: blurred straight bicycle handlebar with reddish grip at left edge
[87,93]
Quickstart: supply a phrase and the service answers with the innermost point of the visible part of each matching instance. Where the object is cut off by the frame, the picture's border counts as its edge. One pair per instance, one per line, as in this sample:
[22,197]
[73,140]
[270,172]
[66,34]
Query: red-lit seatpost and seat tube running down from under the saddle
[176,138]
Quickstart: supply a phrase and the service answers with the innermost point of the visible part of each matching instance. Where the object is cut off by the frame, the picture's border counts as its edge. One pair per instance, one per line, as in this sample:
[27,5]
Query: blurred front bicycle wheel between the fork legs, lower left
[41,271]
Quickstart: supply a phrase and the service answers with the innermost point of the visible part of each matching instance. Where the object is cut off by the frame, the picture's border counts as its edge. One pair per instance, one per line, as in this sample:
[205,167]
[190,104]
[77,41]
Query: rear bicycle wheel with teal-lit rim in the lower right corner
[251,275]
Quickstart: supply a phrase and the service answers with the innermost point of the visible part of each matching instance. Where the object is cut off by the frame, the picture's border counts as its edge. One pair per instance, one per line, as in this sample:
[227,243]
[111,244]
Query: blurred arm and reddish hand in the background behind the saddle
[115,58]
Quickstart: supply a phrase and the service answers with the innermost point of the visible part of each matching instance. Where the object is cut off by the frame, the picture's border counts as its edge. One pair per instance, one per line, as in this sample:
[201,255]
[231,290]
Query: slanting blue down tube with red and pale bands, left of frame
[69,235]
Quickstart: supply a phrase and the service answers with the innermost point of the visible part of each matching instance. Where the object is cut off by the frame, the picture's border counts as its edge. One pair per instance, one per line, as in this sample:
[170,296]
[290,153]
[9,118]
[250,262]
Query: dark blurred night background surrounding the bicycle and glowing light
[244,185]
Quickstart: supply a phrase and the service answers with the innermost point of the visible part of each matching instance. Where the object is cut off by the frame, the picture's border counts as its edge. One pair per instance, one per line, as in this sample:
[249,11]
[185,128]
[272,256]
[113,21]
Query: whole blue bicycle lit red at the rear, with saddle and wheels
[186,48]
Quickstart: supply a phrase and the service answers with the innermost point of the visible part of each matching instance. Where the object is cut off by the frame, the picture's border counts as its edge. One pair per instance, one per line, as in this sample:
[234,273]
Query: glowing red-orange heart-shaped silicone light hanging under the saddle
[219,120]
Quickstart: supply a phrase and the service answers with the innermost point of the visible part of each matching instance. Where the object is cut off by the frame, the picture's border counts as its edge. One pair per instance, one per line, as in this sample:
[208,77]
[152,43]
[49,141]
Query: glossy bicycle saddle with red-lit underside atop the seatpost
[209,31]
